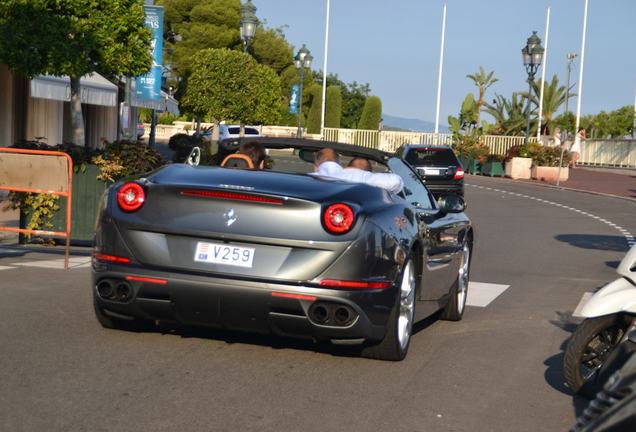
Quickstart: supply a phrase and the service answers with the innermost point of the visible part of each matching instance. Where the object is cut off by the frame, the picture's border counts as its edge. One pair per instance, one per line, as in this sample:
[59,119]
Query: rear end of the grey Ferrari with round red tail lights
[246,250]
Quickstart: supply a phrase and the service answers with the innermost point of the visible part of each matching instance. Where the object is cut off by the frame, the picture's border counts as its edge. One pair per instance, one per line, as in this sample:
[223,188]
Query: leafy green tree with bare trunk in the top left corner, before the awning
[74,38]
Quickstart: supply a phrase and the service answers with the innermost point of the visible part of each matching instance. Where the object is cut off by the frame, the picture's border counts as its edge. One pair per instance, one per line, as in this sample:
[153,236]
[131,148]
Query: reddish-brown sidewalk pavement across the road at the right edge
[608,181]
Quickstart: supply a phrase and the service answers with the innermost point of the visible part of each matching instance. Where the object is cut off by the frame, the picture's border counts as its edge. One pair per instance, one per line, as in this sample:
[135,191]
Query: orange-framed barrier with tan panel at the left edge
[26,171]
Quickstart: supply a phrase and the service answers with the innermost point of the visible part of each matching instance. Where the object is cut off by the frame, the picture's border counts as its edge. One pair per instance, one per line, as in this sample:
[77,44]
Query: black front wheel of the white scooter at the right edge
[602,333]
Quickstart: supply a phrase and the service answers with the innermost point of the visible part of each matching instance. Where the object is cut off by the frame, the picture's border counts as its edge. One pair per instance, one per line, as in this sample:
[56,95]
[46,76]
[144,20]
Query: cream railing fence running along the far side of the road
[616,153]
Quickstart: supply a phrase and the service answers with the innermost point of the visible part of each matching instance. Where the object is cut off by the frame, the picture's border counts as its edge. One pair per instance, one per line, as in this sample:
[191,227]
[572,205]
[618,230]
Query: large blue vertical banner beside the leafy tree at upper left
[148,86]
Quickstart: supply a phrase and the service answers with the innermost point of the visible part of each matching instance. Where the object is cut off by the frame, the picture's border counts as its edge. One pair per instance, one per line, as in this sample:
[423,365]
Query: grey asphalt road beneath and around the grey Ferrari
[497,370]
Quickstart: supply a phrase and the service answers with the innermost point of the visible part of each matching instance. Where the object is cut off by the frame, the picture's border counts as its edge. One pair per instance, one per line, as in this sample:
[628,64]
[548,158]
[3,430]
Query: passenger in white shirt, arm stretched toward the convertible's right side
[326,165]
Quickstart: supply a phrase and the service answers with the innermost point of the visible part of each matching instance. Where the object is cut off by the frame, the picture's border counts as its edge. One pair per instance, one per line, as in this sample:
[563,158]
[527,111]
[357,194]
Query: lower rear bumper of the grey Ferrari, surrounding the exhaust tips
[254,306]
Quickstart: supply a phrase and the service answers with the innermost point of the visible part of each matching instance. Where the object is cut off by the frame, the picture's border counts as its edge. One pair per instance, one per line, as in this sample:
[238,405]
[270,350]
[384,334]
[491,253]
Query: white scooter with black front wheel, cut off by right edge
[601,344]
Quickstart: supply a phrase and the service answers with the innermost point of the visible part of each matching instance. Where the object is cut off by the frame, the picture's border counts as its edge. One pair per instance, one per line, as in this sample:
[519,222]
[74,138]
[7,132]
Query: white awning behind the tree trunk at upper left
[94,89]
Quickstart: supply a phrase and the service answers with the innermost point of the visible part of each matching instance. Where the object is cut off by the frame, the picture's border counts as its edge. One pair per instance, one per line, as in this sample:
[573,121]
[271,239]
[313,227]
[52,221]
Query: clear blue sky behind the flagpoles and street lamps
[394,46]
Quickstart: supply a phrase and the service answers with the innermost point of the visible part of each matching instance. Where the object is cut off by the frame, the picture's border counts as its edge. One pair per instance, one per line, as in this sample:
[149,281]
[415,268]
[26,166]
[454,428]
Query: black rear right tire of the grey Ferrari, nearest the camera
[390,348]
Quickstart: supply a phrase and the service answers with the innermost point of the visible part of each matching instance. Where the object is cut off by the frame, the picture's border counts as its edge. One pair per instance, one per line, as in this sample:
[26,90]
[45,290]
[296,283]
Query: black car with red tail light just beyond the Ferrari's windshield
[437,165]
